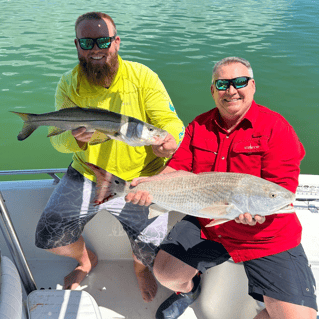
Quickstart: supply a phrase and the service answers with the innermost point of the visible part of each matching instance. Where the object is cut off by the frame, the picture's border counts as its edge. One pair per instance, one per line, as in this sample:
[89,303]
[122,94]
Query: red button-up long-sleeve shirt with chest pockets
[264,144]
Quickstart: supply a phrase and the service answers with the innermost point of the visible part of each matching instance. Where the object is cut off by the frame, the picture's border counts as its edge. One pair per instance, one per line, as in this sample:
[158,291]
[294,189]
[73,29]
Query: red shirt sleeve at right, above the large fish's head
[281,163]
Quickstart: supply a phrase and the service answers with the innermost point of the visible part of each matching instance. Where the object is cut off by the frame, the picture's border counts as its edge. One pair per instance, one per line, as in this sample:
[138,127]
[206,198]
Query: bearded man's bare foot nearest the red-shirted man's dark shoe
[146,280]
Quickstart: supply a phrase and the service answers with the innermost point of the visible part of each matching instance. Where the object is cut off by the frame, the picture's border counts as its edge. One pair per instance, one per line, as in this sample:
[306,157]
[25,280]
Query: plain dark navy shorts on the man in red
[286,276]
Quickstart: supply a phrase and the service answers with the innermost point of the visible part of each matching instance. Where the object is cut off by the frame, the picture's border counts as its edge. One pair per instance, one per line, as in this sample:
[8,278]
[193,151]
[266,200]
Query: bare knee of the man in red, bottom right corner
[284,310]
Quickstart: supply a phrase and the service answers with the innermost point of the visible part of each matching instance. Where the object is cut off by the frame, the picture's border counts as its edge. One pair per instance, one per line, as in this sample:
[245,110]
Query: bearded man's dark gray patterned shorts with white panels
[70,207]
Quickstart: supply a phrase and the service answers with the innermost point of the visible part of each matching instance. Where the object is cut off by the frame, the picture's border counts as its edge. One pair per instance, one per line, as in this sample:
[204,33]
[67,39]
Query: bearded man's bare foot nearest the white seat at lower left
[75,277]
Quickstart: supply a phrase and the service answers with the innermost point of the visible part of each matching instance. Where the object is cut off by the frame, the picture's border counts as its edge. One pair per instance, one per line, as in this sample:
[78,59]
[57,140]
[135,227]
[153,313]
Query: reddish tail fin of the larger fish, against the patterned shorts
[103,182]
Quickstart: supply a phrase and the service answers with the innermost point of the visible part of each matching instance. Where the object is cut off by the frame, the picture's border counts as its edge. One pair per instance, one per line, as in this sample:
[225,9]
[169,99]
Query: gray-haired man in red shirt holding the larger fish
[238,136]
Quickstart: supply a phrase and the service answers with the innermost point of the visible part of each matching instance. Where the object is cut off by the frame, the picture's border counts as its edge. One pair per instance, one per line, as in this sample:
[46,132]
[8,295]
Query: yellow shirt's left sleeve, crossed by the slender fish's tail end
[64,142]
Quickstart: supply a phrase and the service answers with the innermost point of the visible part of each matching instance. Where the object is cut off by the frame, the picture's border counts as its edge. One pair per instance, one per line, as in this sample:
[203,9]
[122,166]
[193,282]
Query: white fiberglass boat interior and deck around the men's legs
[112,283]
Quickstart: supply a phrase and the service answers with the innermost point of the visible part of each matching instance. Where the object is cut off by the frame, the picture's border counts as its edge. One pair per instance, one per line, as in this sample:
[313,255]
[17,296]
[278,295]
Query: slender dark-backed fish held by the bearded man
[106,124]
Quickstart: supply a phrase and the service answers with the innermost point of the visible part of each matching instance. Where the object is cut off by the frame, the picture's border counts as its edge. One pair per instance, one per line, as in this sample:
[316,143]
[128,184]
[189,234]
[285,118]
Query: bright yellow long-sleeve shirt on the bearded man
[135,91]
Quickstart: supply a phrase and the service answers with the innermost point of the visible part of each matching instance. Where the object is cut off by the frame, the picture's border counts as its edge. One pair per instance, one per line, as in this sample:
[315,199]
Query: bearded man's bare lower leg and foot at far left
[86,258]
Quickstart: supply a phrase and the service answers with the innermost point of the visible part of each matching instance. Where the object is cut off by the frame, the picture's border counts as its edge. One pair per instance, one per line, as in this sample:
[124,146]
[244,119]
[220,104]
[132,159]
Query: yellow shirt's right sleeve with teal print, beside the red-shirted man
[159,107]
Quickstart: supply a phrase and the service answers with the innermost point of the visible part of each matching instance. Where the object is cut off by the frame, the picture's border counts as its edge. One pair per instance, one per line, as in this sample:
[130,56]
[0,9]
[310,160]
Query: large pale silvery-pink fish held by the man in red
[213,195]
